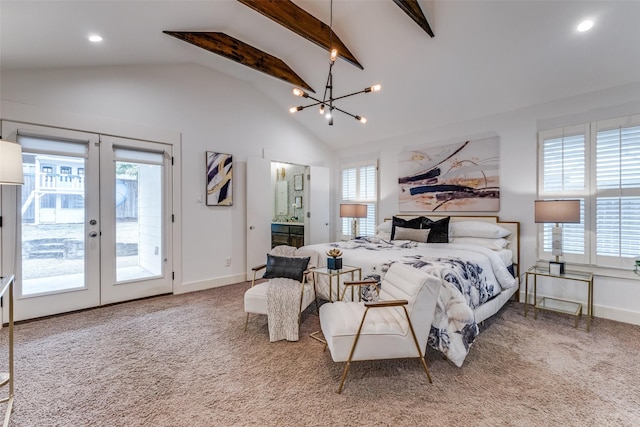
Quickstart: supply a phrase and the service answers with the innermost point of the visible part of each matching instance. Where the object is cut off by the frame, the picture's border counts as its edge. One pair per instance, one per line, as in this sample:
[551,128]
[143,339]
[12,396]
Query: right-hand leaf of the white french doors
[135,243]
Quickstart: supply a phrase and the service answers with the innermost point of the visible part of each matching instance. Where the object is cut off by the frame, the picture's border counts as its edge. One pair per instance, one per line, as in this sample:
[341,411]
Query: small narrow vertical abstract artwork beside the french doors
[219,179]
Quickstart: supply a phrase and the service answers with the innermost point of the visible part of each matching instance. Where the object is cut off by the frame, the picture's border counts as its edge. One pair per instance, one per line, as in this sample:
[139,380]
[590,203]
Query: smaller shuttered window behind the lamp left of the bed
[359,184]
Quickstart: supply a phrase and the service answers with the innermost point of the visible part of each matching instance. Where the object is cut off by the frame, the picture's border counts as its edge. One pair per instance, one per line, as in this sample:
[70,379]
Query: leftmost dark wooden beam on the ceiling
[238,51]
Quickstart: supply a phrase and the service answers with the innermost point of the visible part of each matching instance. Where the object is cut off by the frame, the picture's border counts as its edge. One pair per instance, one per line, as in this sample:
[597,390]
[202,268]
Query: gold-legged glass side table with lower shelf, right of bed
[555,304]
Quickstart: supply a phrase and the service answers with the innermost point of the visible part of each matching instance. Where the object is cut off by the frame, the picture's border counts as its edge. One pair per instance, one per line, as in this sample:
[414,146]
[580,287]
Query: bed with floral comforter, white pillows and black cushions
[476,258]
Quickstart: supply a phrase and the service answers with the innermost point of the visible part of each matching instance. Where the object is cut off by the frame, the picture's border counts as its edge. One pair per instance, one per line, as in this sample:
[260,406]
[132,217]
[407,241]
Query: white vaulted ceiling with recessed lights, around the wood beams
[487,56]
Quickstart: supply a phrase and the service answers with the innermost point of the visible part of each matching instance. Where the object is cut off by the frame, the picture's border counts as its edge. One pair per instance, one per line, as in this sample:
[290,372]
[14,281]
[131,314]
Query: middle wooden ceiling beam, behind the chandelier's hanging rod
[290,16]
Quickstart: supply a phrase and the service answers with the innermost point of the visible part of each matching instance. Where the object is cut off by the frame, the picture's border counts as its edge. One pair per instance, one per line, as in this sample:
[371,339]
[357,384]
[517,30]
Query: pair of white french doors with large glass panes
[91,220]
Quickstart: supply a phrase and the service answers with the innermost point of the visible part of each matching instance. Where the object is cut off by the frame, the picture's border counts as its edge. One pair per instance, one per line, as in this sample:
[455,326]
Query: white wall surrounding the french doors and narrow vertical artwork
[208,110]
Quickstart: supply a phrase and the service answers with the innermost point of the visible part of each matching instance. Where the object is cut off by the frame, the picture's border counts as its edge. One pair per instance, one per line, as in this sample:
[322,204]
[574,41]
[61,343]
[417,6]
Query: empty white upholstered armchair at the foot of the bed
[396,326]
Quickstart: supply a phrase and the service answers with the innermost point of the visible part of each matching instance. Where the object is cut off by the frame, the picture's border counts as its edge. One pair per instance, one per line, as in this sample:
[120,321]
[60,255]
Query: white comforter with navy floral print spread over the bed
[471,275]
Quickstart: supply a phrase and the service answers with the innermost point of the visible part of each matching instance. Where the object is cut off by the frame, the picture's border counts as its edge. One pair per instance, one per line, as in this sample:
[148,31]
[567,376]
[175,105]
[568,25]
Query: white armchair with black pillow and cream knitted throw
[287,293]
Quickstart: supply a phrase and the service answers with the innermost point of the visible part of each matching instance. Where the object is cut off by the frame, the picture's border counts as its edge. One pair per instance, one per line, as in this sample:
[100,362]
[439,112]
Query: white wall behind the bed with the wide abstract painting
[615,298]
